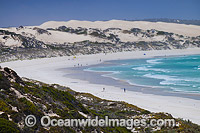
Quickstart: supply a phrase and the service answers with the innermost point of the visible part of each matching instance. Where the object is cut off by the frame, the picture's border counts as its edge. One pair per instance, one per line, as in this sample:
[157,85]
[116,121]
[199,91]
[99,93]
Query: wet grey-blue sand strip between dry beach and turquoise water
[100,78]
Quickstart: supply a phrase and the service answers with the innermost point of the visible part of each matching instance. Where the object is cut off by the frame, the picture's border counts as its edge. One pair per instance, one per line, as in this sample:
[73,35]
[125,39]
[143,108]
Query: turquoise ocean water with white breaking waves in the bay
[173,73]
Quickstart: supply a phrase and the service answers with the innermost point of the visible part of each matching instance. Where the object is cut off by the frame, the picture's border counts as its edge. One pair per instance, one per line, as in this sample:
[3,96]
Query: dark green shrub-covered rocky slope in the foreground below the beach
[20,97]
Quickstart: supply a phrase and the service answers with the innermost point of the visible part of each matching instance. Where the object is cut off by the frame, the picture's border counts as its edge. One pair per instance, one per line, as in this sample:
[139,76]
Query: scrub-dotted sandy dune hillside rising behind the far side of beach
[53,39]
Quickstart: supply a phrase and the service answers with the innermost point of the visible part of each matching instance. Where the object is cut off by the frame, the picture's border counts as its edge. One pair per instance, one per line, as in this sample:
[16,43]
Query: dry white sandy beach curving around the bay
[45,70]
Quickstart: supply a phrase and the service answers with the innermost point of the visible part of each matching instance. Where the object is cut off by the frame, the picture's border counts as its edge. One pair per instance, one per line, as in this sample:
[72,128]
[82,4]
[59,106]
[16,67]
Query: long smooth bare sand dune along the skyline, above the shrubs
[182,29]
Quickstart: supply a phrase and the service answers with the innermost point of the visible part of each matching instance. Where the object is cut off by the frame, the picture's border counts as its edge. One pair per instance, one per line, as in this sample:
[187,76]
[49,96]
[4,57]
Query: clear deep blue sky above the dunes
[35,12]
